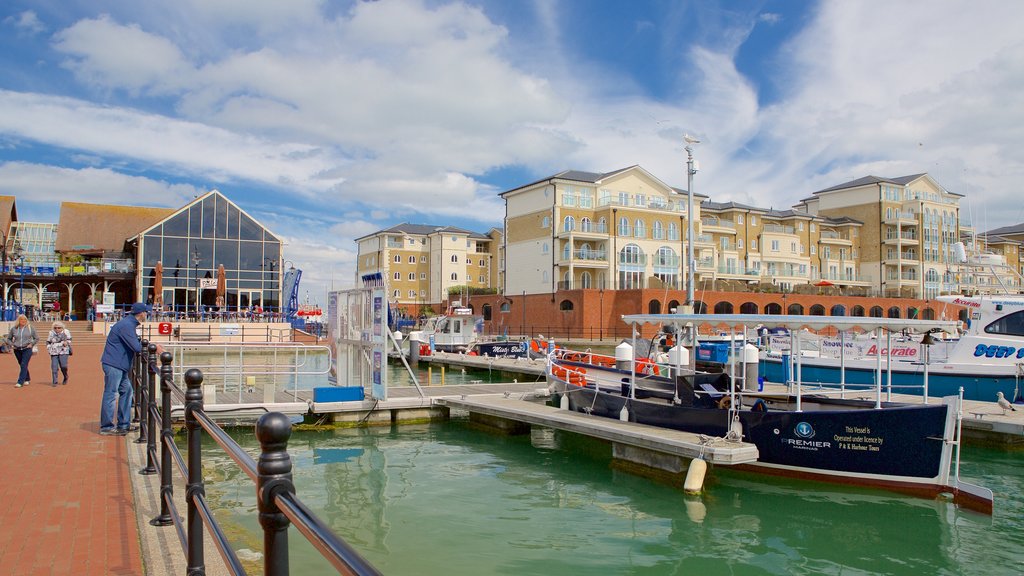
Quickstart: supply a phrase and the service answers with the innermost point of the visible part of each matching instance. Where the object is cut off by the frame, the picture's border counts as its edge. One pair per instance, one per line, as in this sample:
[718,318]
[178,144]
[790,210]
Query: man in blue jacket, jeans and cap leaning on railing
[122,346]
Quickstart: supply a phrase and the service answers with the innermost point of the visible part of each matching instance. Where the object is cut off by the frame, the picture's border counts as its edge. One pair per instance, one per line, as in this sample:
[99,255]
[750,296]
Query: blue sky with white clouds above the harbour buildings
[328,120]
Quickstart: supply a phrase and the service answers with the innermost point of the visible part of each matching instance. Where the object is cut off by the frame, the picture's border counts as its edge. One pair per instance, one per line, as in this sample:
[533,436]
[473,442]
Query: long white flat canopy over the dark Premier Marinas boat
[793,322]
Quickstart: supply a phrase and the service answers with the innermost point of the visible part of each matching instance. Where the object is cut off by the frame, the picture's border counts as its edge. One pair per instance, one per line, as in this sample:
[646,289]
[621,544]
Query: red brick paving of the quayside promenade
[66,501]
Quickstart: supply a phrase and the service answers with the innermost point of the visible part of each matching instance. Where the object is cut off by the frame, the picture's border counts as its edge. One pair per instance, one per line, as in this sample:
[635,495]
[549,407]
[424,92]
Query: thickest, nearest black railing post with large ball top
[274,476]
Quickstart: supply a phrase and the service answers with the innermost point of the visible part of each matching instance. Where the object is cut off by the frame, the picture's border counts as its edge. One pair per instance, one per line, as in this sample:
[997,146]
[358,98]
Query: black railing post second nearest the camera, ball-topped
[194,403]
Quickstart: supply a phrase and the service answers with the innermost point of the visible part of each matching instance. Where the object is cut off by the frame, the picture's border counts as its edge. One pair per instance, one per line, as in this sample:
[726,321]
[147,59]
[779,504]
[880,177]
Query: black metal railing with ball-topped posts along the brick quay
[279,507]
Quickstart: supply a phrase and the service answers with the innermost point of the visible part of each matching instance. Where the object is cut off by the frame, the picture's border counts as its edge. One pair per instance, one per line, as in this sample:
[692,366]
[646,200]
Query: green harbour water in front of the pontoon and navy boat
[448,500]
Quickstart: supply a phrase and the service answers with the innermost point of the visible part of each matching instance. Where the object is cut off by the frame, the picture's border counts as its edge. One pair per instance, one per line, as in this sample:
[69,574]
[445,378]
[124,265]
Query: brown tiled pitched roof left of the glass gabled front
[98,228]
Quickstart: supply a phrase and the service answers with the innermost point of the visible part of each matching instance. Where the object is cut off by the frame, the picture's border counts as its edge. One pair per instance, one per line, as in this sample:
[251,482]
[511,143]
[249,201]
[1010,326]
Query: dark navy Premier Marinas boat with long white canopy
[846,436]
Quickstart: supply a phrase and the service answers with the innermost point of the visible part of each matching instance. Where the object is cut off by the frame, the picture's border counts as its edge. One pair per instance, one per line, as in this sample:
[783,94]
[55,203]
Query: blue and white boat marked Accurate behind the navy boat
[989,357]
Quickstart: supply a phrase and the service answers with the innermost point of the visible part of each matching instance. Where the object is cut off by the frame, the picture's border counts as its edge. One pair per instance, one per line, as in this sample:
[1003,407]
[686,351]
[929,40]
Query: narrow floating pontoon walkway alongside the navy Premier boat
[654,439]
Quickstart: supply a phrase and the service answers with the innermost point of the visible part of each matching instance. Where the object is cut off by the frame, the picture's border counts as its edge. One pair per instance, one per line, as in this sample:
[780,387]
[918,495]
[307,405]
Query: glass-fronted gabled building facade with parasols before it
[180,259]
